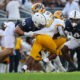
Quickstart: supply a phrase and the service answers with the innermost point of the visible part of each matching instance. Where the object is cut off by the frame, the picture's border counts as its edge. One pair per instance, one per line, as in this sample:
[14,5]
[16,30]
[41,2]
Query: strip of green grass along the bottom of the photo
[41,76]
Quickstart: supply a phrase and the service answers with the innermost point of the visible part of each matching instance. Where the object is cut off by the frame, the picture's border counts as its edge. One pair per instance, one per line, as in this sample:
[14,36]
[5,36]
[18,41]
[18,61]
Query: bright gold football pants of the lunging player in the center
[46,42]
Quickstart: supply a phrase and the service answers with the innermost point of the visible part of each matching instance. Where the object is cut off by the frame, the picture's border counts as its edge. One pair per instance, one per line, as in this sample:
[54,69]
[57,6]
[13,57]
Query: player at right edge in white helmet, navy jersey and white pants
[73,28]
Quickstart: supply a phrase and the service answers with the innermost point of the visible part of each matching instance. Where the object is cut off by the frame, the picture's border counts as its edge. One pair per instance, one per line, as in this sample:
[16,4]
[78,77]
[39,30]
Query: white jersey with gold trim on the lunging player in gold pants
[53,29]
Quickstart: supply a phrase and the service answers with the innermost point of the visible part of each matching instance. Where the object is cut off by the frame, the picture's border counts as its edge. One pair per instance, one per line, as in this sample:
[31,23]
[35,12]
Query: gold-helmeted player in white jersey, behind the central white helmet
[39,7]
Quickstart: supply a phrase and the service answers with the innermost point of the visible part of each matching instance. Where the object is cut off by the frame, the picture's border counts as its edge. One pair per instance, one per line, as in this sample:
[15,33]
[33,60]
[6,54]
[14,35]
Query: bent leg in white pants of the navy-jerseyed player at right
[65,50]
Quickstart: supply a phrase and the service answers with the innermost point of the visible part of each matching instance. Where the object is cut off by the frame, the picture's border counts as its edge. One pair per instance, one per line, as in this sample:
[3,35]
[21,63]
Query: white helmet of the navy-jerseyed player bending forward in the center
[39,19]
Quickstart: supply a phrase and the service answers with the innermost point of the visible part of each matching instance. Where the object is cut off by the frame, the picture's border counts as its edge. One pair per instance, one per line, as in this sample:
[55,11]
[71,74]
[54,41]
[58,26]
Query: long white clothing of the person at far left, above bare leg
[9,35]
